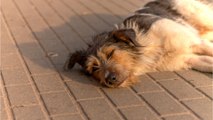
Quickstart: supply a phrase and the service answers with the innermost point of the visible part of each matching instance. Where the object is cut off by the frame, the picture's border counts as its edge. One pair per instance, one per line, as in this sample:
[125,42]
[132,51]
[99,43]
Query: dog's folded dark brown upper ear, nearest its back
[126,35]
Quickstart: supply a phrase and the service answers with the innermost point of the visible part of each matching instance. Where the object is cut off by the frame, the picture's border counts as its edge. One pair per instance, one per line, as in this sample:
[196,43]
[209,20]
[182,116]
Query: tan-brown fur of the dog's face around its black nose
[111,59]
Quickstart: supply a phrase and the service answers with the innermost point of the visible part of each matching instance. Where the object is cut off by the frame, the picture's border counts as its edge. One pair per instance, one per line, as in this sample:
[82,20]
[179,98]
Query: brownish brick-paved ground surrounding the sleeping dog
[37,35]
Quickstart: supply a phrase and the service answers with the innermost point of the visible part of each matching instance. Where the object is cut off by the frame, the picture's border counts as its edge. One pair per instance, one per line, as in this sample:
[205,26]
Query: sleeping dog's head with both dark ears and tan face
[110,59]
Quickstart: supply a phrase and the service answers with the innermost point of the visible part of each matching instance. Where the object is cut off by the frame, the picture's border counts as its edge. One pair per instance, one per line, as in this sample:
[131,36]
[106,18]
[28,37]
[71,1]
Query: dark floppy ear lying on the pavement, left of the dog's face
[76,57]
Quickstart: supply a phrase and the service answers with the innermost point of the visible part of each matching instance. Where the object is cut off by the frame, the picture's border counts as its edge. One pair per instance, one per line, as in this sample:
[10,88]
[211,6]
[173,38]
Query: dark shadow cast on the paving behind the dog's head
[54,44]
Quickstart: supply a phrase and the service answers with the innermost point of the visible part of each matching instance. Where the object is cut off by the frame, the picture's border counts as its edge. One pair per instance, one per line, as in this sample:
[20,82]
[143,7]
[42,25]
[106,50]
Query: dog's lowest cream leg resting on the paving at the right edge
[201,63]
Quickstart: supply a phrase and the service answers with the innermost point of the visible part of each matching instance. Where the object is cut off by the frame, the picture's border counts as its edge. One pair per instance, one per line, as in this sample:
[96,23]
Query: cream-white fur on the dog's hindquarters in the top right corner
[195,12]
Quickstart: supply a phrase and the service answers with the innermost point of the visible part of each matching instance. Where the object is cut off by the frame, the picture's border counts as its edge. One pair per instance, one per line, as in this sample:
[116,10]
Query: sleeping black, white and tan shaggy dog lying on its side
[164,35]
